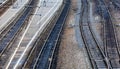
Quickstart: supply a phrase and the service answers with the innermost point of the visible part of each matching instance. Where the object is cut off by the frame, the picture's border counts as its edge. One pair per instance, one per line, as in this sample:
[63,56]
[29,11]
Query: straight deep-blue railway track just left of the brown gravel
[45,57]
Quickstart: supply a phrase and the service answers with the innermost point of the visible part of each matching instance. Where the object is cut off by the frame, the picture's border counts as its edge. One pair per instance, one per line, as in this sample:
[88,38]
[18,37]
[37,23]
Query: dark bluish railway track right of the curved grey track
[111,48]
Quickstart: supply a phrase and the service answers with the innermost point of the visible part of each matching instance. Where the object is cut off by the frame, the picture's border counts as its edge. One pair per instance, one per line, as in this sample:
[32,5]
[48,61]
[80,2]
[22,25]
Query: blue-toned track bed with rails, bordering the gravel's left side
[51,42]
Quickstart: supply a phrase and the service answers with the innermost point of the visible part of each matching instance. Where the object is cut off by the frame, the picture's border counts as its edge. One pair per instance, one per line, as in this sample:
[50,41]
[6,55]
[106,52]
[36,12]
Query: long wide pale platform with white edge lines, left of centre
[37,23]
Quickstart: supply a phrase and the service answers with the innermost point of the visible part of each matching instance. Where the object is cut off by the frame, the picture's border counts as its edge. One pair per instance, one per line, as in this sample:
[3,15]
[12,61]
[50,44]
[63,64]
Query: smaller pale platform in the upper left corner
[7,17]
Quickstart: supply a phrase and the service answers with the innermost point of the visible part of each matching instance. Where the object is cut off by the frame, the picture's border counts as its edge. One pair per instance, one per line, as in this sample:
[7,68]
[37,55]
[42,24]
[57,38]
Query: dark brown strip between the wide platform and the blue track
[40,40]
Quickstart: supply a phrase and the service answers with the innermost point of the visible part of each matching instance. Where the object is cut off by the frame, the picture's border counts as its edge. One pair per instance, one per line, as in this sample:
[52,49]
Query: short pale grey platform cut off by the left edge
[12,13]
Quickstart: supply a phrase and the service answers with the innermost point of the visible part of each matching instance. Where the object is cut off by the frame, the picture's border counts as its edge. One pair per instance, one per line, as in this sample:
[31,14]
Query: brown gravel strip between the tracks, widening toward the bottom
[71,56]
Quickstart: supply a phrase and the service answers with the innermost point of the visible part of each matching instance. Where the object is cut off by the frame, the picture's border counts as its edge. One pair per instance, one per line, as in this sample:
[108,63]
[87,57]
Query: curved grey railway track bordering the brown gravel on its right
[95,53]
